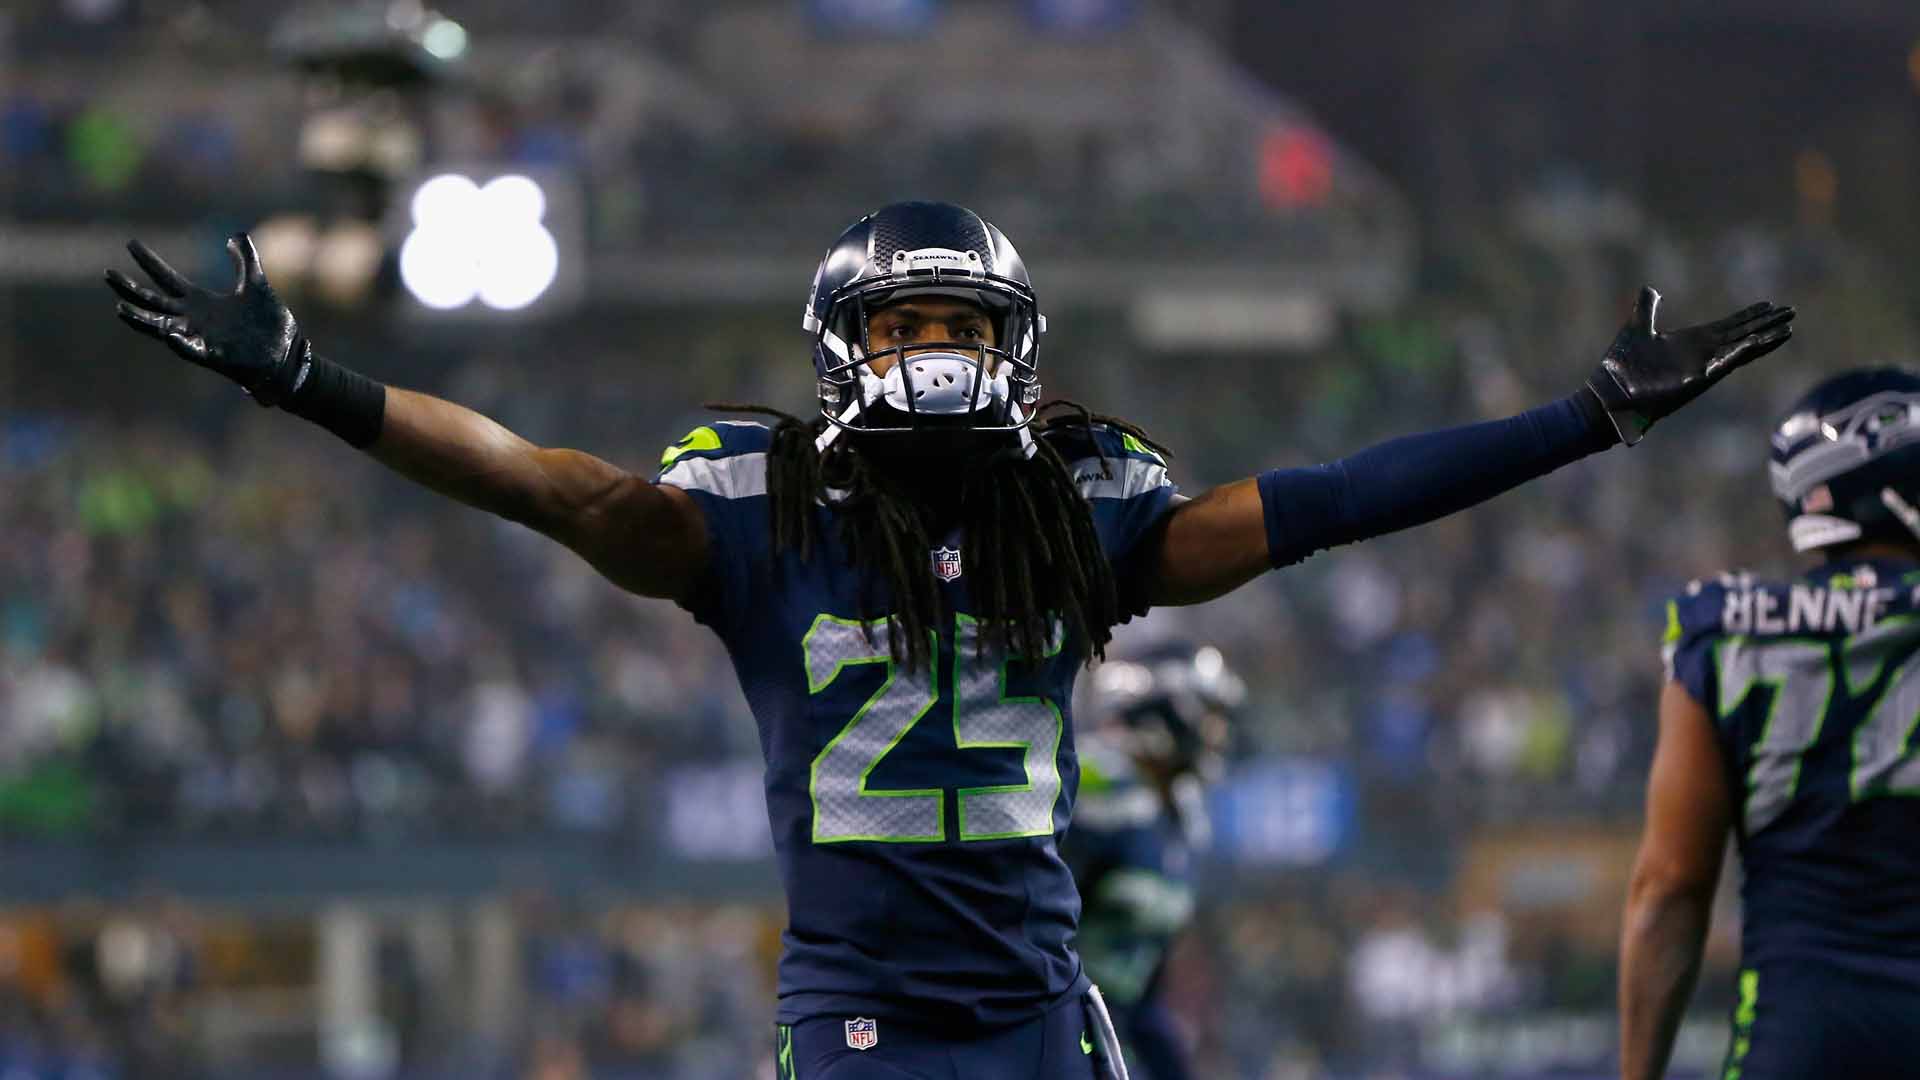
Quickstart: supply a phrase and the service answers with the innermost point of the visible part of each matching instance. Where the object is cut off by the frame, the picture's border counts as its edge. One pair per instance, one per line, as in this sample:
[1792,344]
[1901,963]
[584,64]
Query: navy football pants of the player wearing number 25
[1057,1046]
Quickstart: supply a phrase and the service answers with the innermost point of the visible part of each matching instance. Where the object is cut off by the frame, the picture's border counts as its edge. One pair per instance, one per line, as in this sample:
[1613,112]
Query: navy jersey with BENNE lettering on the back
[1815,693]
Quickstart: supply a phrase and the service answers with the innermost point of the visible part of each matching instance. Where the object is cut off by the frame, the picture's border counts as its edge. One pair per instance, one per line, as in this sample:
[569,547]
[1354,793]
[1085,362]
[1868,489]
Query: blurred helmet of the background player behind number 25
[1170,704]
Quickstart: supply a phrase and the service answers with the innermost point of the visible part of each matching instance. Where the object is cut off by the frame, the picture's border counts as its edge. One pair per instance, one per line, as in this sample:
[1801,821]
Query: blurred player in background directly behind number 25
[1157,731]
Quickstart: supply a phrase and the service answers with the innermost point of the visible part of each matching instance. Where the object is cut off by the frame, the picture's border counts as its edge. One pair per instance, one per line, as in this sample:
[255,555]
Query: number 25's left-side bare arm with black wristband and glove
[642,537]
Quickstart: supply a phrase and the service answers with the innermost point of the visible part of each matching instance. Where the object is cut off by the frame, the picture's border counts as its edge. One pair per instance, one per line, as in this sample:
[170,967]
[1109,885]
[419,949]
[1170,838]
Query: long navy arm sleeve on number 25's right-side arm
[1416,479]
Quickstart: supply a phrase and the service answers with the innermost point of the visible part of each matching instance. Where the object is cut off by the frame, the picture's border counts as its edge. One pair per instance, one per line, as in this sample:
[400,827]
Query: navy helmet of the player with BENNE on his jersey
[1848,458]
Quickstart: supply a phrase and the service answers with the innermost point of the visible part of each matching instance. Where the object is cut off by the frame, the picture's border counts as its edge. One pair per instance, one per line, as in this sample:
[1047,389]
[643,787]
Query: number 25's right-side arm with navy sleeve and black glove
[1234,533]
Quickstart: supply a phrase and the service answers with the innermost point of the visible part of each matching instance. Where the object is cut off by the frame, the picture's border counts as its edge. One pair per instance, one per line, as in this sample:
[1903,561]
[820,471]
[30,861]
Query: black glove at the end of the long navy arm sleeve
[1652,374]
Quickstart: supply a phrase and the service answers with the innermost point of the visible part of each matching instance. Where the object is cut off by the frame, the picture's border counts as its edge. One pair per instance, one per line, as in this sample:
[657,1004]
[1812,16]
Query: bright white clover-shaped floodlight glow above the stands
[479,243]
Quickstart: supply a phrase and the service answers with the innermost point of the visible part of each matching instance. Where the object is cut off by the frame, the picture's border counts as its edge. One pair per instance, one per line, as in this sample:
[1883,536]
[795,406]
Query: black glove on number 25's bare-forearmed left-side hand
[247,335]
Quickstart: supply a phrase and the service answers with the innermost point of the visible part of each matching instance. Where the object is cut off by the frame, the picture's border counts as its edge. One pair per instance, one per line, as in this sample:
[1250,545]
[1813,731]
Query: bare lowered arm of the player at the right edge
[1669,900]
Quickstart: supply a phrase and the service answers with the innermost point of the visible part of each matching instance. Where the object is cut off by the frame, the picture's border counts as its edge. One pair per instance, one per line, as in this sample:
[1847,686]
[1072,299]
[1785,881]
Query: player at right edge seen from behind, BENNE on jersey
[1788,720]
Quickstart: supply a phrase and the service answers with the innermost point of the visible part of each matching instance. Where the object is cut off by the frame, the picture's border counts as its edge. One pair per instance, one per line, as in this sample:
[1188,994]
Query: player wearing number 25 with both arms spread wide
[907,585]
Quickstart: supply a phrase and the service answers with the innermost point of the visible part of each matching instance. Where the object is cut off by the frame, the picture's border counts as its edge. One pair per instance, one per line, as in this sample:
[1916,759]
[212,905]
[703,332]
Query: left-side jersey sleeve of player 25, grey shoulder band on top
[723,468]
